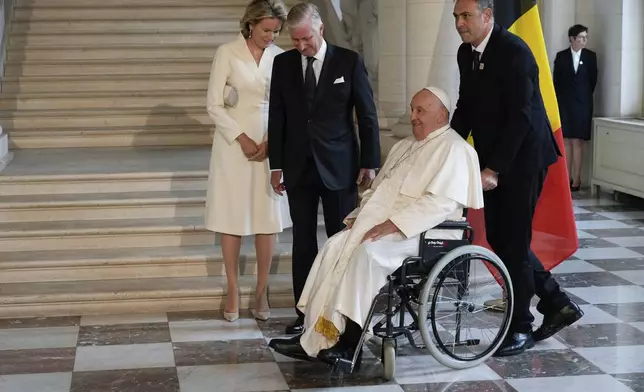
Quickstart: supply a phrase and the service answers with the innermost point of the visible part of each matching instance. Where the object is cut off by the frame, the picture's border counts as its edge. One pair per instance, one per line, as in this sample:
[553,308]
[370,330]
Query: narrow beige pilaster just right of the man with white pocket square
[392,41]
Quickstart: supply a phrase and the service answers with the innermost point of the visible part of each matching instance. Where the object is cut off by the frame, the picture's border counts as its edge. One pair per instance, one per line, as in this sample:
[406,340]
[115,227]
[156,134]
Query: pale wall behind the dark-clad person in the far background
[617,35]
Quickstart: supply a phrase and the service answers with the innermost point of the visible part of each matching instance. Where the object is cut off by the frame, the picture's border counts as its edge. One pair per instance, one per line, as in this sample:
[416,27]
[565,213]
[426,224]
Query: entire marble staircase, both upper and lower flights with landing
[101,209]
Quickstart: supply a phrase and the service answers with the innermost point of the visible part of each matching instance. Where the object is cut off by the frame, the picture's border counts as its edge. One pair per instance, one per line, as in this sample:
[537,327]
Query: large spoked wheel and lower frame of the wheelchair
[445,307]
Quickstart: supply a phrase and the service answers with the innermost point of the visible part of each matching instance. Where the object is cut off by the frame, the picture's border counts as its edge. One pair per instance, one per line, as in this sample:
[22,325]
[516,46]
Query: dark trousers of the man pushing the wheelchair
[509,210]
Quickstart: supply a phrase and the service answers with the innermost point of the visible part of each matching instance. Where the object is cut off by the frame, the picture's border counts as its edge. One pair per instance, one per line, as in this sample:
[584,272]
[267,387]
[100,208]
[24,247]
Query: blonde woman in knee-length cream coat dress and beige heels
[240,201]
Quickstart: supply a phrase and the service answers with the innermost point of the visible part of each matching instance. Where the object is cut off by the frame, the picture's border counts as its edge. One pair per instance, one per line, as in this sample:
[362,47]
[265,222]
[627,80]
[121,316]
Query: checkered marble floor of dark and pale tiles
[199,351]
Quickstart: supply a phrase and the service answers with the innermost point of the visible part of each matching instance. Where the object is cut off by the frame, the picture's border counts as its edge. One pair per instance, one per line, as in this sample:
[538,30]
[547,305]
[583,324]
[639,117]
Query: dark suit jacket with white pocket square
[327,133]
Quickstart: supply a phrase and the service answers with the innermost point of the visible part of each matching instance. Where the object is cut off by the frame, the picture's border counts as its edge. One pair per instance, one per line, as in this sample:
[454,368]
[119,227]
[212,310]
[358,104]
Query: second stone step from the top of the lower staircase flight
[100,206]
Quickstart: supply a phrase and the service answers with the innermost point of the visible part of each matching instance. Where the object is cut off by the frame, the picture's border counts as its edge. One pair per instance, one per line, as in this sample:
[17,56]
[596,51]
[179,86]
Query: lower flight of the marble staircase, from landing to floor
[103,230]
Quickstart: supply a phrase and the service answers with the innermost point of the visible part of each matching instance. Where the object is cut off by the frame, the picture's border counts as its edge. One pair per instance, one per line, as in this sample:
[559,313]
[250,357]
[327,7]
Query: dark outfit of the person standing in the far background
[575,91]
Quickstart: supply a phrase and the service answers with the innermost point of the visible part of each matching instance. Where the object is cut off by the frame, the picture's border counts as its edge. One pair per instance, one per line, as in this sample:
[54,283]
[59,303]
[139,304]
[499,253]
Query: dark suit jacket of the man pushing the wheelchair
[501,104]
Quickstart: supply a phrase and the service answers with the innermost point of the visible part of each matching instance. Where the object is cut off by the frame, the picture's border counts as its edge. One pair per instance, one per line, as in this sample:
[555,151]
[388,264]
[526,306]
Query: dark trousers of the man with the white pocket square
[304,199]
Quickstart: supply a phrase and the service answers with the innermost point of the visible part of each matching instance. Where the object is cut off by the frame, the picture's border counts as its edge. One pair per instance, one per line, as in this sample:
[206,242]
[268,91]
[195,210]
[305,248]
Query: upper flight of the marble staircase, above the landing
[113,73]
